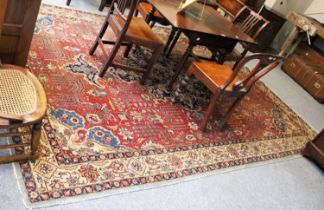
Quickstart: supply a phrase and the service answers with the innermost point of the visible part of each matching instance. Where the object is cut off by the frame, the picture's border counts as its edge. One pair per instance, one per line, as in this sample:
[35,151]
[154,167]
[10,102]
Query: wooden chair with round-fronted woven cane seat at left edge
[22,109]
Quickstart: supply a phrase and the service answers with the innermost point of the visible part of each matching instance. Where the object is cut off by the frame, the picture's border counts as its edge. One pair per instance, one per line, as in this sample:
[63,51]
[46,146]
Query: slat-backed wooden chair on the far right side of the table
[250,23]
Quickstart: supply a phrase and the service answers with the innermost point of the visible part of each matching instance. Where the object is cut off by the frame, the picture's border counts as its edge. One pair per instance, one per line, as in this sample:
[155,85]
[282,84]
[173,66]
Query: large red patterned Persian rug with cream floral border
[107,134]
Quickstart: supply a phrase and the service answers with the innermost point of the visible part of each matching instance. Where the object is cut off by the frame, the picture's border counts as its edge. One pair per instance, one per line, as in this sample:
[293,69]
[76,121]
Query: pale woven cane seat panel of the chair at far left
[18,95]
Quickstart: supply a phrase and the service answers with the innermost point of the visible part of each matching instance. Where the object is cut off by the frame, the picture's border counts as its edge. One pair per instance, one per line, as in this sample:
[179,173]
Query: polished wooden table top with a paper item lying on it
[210,22]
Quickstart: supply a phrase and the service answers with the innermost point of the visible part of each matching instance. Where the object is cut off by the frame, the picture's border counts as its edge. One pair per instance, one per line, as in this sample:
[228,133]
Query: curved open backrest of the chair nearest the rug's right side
[264,63]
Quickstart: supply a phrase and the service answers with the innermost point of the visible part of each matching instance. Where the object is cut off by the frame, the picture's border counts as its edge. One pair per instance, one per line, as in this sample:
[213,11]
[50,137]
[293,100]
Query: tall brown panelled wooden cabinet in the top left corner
[17,30]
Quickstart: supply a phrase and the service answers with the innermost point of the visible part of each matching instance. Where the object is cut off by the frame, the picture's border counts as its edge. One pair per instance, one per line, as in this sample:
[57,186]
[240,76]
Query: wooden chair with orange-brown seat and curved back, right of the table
[221,80]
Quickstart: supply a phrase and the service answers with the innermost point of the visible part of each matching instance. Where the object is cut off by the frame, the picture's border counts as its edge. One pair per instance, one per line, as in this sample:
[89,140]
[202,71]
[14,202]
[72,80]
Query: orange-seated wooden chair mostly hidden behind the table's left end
[151,16]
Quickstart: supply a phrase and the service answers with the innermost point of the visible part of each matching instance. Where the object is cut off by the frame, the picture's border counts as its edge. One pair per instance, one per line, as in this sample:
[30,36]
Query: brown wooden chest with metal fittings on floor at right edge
[306,67]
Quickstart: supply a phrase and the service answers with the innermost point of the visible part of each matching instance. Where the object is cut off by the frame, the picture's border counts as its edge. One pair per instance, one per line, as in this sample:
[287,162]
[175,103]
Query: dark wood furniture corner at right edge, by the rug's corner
[315,149]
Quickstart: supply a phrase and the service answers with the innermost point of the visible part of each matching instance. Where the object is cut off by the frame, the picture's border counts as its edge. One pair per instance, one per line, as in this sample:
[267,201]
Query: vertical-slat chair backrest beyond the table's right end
[250,22]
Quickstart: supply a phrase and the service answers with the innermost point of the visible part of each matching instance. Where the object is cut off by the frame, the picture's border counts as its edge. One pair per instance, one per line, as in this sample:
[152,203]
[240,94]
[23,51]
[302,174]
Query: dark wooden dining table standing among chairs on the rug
[202,25]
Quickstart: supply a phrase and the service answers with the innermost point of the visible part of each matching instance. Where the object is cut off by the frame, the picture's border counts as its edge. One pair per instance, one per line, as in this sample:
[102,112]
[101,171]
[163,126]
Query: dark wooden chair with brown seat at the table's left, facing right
[129,30]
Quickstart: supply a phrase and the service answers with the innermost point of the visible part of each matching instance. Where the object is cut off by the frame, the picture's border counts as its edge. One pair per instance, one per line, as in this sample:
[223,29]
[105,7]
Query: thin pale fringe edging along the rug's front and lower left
[137,188]
